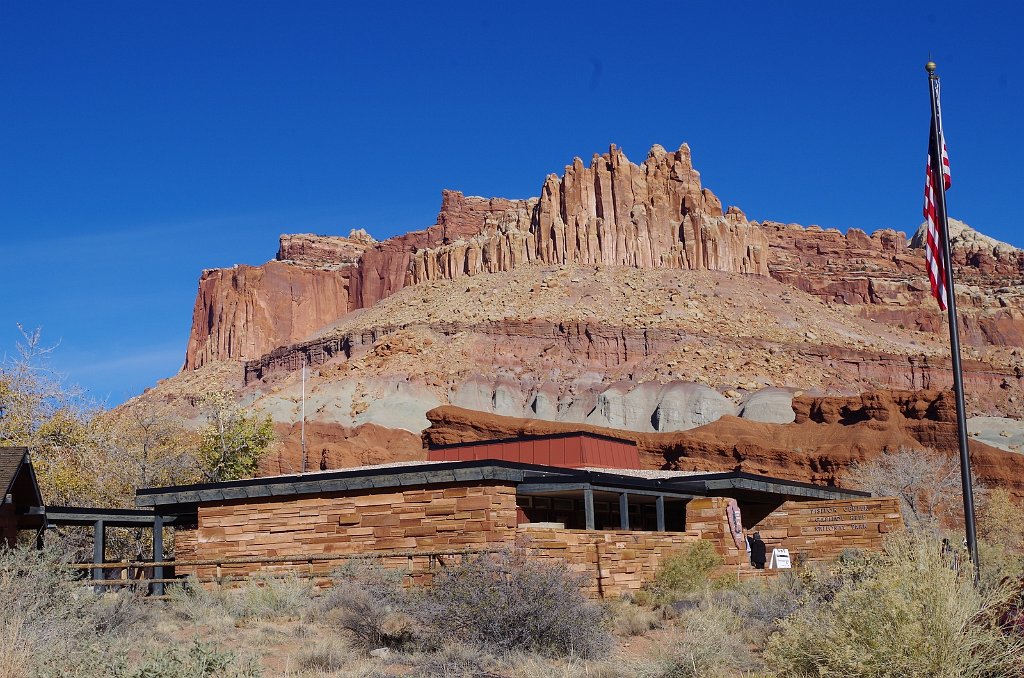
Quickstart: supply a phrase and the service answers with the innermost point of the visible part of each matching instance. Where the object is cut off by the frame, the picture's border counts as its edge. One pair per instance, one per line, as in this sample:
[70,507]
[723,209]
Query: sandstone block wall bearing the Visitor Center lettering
[821,531]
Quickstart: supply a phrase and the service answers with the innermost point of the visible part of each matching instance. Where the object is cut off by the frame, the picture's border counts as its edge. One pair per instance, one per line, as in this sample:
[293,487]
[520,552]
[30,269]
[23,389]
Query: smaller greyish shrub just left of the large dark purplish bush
[370,603]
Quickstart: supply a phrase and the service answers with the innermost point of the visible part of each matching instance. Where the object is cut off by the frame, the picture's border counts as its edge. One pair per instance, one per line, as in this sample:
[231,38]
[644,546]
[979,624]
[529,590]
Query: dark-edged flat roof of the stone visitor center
[429,474]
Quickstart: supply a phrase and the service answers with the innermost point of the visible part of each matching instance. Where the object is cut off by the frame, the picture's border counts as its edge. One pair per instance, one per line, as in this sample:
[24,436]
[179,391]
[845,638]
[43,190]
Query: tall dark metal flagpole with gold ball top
[938,182]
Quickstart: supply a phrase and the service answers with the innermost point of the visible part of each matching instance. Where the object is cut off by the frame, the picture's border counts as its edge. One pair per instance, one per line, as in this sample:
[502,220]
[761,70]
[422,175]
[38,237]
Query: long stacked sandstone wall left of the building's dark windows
[466,517]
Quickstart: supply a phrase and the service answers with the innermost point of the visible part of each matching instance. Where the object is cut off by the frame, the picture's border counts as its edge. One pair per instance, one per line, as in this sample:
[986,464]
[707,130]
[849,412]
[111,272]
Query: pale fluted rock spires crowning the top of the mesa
[613,213]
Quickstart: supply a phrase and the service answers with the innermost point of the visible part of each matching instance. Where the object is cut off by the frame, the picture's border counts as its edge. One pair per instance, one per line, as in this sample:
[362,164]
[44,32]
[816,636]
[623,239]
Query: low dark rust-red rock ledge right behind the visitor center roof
[829,436]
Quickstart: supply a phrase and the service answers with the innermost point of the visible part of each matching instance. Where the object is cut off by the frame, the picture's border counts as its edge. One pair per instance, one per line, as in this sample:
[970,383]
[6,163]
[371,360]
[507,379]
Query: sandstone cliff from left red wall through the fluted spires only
[656,215]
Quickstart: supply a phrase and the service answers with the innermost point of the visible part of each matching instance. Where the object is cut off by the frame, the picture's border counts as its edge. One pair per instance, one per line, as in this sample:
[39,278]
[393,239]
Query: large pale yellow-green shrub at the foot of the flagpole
[907,613]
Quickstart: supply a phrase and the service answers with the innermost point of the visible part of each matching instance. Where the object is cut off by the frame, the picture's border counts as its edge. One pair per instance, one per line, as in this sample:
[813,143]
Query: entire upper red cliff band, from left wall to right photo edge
[656,215]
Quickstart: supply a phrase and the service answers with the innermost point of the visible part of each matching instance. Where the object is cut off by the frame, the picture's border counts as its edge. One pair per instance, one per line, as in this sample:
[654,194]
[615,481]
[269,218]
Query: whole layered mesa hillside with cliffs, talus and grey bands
[625,296]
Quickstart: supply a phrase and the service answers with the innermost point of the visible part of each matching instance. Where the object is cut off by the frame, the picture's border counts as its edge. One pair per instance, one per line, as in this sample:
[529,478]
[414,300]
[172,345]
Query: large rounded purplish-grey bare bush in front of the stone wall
[507,601]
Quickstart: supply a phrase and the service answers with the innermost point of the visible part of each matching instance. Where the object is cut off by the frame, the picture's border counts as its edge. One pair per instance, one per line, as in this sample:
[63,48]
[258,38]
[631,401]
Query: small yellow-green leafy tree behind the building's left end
[234,441]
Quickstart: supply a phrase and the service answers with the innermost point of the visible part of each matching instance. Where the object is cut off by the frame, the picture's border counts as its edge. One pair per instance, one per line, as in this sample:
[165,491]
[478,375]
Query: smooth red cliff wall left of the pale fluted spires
[246,312]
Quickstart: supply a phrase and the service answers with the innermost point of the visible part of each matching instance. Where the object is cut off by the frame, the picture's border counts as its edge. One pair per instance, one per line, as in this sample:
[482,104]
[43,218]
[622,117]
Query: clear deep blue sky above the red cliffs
[142,142]
